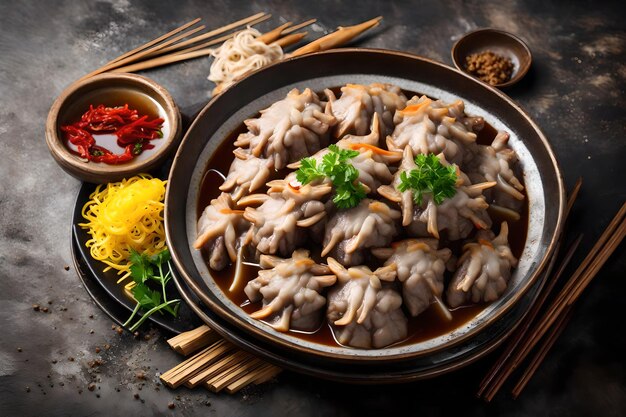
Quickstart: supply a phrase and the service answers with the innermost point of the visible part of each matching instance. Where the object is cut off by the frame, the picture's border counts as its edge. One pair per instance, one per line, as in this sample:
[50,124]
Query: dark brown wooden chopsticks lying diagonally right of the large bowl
[549,326]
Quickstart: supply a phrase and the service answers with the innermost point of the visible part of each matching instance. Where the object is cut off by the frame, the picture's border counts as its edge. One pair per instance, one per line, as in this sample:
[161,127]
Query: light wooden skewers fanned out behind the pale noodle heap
[179,44]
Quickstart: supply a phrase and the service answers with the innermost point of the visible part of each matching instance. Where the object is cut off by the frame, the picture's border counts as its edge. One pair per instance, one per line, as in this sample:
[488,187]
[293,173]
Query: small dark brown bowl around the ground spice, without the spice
[498,42]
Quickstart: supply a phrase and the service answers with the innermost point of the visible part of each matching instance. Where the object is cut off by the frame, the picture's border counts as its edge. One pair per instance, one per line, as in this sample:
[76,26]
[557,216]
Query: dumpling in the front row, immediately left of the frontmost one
[291,291]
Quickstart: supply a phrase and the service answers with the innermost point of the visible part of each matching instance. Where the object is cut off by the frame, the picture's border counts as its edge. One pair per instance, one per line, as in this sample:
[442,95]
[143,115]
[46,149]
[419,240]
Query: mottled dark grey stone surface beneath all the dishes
[575,92]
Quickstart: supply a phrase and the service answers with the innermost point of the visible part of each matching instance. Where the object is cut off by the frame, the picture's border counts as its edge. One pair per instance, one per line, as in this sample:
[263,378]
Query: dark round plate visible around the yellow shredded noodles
[102,286]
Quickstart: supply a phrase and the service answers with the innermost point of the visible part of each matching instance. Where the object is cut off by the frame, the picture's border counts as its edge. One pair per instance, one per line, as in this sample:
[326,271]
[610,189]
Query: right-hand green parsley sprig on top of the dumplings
[430,177]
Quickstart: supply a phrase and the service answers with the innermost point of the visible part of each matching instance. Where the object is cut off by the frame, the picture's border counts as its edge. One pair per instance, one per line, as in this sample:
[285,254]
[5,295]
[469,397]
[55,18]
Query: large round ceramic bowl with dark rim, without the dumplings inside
[224,114]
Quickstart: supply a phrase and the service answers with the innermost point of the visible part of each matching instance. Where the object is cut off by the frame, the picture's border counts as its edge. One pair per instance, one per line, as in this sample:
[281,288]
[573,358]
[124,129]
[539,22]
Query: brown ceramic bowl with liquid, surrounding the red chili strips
[112,90]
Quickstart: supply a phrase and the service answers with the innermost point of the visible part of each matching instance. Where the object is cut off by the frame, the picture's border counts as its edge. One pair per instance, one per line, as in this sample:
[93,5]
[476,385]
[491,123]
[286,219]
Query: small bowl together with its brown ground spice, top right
[495,57]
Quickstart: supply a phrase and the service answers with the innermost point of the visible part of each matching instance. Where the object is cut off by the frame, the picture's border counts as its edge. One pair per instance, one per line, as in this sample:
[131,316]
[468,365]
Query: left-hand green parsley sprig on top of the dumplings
[335,166]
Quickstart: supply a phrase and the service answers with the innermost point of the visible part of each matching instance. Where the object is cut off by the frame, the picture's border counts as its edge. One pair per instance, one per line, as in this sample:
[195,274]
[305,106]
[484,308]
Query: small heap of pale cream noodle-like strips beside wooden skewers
[240,55]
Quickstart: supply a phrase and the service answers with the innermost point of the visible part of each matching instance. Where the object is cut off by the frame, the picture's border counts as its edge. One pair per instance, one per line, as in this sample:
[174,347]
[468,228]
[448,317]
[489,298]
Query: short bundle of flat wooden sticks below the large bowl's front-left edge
[218,365]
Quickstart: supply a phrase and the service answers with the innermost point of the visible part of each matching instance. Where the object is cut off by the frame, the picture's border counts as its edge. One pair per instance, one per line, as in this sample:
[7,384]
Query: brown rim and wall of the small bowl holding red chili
[97,173]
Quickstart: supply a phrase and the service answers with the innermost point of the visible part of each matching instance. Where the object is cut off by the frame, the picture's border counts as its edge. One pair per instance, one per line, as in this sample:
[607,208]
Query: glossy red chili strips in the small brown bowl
[133,132]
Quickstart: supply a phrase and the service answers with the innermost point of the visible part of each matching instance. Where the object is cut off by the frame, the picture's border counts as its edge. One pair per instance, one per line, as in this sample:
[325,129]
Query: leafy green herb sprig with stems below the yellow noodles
[143,270]
